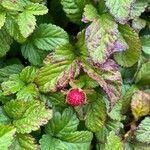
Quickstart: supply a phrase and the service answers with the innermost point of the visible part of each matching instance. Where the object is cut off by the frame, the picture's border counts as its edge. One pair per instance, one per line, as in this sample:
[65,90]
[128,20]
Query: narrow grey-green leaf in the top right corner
[138,8]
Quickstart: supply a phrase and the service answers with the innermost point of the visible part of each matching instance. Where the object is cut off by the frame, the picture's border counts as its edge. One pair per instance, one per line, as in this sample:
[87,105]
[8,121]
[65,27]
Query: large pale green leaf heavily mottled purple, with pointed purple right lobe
[103,39]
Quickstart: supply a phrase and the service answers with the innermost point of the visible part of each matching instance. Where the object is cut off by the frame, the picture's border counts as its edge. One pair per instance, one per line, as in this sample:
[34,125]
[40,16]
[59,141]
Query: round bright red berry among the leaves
[75,97]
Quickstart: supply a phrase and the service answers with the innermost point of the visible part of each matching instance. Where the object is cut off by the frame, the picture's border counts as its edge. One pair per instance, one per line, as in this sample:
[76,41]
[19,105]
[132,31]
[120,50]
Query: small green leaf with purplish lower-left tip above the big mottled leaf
[90,13]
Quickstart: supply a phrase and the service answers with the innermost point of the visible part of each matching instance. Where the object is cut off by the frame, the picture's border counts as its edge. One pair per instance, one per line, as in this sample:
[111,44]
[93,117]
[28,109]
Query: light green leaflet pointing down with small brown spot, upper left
[26,22]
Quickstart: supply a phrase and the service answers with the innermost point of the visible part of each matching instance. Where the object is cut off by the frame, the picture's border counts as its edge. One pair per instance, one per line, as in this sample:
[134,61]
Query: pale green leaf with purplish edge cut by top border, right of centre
[120,9]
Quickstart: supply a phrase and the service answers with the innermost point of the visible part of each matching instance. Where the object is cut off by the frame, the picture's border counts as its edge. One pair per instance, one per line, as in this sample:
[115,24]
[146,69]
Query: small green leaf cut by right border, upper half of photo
[146,44]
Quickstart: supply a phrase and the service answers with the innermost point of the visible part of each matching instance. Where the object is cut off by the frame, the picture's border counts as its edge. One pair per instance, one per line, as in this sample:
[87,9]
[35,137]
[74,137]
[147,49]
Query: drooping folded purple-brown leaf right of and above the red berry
[103,74]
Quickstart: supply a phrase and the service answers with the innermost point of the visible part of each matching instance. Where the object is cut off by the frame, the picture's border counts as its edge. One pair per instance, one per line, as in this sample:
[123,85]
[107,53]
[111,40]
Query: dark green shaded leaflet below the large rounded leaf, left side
[33,54]
